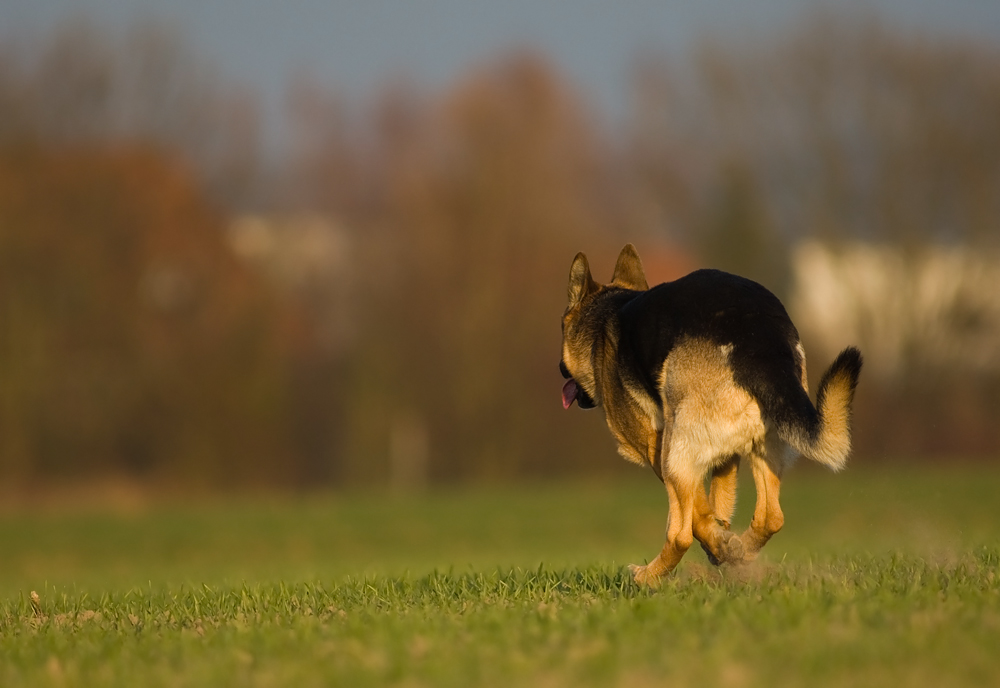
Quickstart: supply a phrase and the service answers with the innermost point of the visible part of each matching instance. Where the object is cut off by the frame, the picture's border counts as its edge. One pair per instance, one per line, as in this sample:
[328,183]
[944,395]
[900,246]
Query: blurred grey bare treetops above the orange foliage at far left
[85,86]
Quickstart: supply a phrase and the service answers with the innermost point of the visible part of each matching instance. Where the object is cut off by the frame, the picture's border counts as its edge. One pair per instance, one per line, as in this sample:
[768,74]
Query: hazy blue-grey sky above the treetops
[357,46]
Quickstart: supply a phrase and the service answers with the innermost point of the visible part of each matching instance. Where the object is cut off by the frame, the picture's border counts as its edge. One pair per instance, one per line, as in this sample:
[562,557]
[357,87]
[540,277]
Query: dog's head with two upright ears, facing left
[582,323]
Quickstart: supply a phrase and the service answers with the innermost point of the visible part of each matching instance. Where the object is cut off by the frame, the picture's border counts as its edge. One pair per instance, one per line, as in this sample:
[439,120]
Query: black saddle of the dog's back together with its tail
[761,347]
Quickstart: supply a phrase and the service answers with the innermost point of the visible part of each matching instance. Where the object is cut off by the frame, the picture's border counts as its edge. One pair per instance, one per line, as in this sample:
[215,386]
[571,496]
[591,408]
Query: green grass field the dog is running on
[885,576]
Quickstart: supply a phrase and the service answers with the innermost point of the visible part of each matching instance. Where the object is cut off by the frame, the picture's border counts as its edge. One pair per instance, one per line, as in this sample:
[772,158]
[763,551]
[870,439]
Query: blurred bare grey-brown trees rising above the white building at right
[842,129]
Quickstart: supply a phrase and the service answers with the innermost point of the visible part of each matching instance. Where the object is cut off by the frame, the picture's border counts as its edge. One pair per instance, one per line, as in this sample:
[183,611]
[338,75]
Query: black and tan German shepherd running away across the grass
[696,375]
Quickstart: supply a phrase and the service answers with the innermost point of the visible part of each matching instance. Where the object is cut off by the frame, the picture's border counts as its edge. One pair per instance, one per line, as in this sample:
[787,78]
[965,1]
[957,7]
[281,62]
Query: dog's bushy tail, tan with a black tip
[824,435]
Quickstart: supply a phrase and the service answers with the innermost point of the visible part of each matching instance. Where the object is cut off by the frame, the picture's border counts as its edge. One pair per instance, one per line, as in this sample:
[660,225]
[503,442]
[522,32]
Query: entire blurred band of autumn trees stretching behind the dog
[136,341]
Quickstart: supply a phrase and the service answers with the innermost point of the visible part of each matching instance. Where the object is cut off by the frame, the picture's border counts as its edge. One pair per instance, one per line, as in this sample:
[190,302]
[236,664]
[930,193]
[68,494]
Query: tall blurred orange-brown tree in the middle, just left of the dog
[471,213]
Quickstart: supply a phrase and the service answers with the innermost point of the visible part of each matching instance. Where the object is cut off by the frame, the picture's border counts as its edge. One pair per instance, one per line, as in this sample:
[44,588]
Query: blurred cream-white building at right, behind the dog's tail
[934,308]
